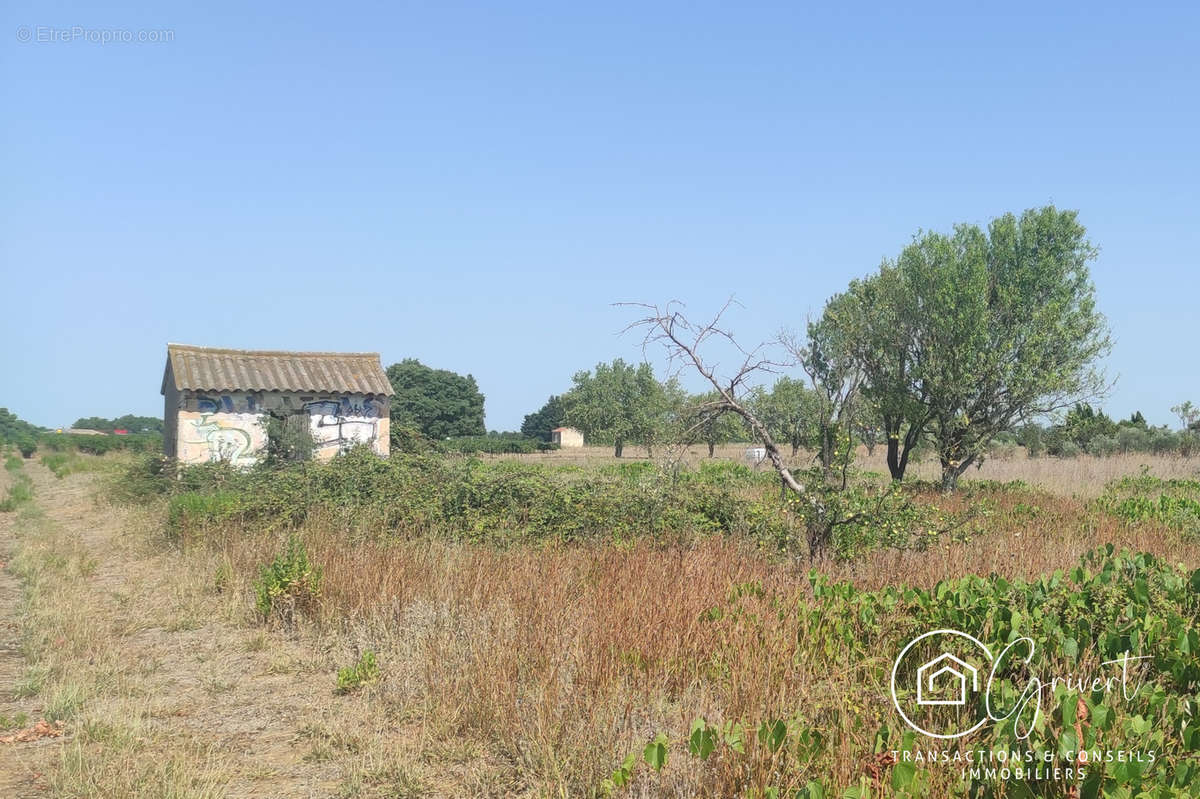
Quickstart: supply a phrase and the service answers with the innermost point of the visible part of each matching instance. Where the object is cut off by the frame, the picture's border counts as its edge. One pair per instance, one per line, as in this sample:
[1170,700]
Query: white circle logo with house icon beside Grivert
[935,684]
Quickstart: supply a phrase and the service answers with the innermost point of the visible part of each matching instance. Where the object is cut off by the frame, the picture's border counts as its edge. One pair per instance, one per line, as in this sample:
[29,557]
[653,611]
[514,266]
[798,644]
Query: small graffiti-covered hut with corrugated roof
[225,405]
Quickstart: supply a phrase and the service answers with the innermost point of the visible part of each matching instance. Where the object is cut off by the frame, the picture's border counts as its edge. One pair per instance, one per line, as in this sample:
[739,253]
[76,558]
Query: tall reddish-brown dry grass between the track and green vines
[548,665]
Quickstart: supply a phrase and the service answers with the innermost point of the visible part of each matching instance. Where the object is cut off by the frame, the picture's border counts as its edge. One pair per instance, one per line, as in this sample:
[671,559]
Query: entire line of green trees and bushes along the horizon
[967,341]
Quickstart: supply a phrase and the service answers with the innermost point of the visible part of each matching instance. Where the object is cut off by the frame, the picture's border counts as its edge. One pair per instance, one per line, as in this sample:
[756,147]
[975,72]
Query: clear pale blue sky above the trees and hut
[475,185]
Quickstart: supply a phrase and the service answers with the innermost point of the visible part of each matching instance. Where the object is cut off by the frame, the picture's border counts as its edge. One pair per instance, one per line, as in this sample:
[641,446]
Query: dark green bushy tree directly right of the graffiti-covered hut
[436,402]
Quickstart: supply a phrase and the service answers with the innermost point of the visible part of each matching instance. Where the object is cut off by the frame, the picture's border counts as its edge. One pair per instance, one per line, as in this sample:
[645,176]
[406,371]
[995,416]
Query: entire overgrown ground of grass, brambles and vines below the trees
[567,626]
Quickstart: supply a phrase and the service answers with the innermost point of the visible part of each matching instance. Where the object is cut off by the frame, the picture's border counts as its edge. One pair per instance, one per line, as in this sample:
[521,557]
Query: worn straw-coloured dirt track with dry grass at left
[166,684]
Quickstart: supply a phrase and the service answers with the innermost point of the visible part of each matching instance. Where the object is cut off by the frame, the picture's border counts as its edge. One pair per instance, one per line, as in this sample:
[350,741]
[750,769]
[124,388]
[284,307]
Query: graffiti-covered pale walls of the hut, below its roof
[233,426]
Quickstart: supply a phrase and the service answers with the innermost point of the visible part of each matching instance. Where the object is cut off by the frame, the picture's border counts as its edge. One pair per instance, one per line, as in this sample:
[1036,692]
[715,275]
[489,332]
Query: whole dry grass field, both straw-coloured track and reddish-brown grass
[526,671]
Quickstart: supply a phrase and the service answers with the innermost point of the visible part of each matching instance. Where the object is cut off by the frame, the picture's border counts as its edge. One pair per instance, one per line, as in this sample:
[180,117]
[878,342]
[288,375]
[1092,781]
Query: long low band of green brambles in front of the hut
[508,502]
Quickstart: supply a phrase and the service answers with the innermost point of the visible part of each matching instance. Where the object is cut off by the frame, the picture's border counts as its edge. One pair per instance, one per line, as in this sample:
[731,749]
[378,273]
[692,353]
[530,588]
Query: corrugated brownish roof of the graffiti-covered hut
[207,369]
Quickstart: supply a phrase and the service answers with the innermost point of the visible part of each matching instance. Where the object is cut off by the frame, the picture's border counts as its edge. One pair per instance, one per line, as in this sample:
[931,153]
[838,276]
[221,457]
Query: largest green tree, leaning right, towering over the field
[997,327]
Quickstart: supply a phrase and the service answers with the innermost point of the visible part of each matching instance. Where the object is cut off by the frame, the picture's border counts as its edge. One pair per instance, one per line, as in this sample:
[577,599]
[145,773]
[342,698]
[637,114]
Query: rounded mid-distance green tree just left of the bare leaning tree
[622,404]
